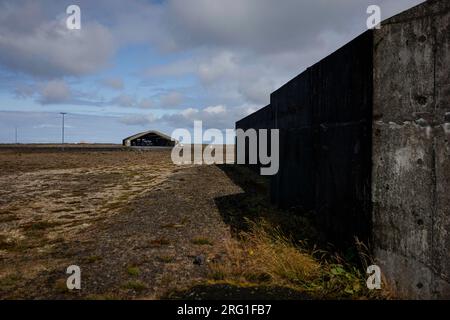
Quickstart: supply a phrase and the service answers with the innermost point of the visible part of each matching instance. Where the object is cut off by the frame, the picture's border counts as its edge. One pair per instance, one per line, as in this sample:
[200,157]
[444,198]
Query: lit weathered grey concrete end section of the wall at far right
[411,164]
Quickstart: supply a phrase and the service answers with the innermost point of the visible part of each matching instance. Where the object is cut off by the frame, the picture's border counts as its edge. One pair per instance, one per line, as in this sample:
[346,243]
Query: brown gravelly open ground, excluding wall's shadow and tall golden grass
[137,225]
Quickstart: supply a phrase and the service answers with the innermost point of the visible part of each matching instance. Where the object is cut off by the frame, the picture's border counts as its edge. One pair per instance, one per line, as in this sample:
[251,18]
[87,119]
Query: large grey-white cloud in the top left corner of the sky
[32,44]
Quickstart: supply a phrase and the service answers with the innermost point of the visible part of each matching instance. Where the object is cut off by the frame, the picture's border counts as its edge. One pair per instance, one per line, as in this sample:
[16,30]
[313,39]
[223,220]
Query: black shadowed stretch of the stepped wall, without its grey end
[324,118]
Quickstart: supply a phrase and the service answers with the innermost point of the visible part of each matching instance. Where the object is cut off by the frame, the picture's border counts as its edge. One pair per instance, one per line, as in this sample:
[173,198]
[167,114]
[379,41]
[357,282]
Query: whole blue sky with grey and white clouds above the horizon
[137,65]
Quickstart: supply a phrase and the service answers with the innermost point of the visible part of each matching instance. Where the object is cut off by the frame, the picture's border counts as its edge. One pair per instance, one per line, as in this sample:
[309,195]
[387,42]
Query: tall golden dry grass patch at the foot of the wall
[266,257]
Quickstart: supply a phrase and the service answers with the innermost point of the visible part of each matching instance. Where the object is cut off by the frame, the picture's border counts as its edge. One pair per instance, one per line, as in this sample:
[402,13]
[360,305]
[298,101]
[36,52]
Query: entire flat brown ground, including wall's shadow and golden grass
[140,227]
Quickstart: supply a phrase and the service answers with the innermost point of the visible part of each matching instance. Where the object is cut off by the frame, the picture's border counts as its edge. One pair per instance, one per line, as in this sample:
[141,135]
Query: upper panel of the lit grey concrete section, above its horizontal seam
[403,70]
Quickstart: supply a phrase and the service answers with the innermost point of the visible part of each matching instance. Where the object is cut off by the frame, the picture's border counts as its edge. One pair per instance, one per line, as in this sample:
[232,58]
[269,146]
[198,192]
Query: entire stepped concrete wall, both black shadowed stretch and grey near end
[364,144]
